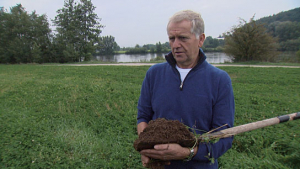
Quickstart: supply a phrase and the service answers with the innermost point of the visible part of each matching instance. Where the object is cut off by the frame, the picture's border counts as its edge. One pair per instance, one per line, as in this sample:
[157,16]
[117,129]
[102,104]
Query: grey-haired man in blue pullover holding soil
[187,88]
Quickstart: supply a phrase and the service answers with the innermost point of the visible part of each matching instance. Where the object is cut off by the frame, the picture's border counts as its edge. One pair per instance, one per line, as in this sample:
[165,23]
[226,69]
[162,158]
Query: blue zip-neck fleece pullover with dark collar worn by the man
[204,100]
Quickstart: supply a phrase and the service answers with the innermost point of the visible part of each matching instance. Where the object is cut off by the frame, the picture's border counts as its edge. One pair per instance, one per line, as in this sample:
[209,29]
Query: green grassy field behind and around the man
[85,117]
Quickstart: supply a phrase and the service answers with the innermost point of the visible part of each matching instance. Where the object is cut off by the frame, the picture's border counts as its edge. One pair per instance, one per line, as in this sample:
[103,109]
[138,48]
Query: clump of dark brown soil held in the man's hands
[162,131]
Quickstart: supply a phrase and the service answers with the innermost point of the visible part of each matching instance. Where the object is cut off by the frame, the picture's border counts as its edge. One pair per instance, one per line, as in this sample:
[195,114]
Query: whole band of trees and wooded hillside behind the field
[27,37]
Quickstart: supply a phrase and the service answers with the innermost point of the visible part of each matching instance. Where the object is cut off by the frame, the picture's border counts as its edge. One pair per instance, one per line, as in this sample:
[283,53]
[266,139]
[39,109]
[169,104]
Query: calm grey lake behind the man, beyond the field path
[212,57]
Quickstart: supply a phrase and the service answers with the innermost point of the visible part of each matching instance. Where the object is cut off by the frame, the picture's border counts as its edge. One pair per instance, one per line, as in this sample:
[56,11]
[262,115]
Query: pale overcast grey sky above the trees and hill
[142,22]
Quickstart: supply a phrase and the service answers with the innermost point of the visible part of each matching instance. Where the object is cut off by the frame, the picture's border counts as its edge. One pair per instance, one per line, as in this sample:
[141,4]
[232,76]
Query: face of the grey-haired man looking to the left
[184,44]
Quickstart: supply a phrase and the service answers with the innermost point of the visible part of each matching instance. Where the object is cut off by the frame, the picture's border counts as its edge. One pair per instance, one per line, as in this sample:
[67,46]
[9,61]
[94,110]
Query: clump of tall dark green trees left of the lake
[27,37]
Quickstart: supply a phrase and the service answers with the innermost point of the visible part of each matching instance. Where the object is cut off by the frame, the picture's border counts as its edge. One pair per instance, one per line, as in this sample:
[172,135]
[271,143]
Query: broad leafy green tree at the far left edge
[22,35]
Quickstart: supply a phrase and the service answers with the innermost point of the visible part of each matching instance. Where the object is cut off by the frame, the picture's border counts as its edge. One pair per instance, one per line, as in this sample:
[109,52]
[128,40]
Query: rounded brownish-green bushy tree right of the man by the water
[250,41]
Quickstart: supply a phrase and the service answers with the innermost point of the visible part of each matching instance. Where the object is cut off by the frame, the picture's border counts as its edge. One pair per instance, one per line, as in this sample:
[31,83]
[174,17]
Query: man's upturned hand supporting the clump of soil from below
[167,152]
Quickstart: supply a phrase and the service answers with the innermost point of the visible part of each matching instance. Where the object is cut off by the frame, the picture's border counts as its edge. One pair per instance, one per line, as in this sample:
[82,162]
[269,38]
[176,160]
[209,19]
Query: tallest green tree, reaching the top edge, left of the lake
[78,27]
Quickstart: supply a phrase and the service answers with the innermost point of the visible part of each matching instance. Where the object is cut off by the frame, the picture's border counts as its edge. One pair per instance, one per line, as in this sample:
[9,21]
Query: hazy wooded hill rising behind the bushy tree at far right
[285,26]
